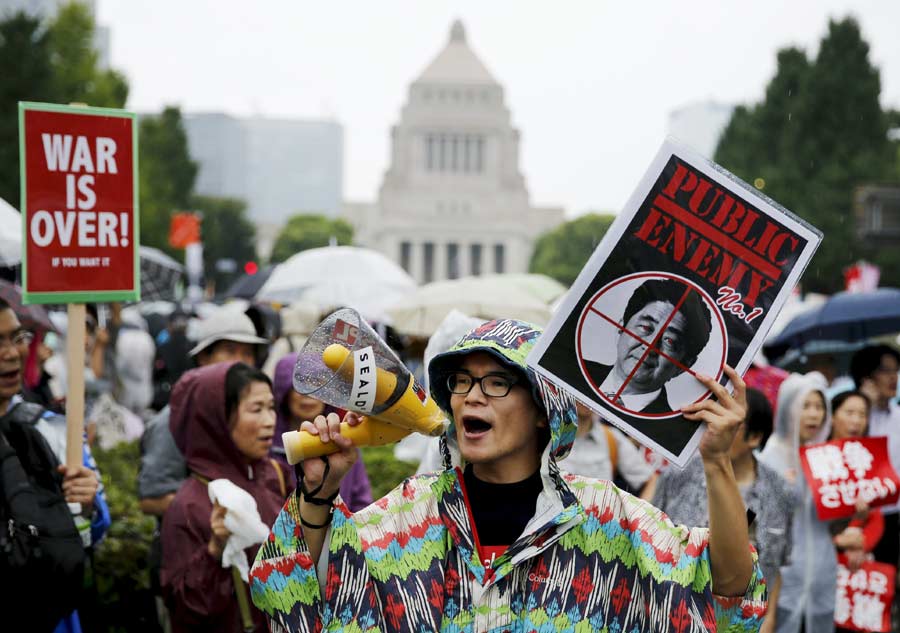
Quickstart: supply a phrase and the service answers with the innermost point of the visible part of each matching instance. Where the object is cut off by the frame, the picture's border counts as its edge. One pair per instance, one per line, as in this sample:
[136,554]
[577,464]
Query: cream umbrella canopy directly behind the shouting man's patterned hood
[490,297]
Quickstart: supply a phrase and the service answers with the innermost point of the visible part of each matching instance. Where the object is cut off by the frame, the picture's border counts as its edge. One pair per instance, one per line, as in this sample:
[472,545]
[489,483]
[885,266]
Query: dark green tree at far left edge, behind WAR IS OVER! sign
[25,75]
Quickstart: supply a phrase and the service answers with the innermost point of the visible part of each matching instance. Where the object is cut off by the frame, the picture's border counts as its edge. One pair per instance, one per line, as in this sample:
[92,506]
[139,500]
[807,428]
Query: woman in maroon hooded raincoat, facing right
[222,419]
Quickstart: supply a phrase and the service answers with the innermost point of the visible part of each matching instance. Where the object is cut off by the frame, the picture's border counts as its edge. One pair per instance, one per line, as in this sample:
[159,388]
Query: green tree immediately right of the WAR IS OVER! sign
[167,176]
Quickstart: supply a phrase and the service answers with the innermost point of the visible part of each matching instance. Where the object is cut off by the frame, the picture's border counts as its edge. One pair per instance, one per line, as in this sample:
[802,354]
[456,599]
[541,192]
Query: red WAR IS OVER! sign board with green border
[79,204]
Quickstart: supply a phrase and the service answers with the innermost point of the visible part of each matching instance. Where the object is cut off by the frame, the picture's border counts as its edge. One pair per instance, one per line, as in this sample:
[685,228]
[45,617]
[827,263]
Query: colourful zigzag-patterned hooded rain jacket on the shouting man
[593,558]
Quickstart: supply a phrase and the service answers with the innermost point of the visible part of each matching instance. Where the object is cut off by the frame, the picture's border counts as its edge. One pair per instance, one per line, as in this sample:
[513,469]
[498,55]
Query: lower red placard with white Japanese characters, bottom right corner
[864,596]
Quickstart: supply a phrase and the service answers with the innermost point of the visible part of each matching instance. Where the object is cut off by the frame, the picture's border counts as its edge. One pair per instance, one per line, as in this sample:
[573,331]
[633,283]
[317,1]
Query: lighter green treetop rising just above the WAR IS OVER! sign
[75,61]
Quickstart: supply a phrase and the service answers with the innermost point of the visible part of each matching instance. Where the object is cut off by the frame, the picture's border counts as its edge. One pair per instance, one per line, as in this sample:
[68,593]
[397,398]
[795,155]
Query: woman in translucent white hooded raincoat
[808,581]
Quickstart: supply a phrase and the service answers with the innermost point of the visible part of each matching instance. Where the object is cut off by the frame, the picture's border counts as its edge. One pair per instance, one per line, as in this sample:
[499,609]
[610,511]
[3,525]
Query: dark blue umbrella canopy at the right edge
[845,317]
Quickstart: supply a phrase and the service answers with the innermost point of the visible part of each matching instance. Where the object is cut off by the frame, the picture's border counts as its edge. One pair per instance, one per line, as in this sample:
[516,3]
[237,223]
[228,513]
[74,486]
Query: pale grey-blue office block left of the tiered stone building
[279,167]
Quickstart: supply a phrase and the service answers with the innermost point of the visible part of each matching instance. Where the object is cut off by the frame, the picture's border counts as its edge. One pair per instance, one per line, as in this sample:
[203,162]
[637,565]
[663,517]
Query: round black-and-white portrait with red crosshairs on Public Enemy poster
[664,328]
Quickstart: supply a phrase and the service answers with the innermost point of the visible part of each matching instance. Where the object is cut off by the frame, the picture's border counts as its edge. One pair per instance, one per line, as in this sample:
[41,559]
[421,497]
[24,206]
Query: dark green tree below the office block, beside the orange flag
[227,234]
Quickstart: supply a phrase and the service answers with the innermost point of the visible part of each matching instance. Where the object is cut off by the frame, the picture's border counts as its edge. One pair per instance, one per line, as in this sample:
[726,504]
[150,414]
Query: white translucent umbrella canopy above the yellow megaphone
[336,276]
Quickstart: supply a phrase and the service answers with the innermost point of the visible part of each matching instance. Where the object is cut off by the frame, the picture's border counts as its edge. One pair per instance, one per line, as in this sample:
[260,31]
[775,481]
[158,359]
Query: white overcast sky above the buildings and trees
[590,84]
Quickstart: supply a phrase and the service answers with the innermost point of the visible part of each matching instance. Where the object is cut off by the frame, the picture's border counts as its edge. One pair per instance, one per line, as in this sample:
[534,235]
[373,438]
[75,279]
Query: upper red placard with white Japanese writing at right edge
[842,471]
